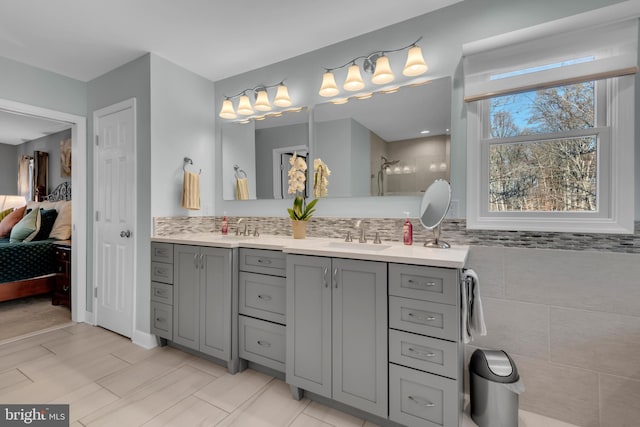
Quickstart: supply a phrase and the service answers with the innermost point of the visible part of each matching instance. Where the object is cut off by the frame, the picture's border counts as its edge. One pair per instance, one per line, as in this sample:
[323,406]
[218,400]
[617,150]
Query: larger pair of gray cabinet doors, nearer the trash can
[337,330]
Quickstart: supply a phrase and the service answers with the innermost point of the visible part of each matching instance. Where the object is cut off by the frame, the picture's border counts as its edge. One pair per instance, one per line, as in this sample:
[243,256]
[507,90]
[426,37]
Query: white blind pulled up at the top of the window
[570,50]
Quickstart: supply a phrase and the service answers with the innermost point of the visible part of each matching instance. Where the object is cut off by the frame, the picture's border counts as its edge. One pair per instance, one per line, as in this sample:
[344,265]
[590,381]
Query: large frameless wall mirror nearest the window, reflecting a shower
[389,144]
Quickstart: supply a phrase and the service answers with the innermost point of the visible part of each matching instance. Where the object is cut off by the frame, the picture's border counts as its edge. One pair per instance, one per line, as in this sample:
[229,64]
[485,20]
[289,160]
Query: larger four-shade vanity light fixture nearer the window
[376,63]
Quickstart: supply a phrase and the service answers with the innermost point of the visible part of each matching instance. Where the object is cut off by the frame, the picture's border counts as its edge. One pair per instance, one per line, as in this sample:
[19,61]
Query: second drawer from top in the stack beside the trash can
[425,318]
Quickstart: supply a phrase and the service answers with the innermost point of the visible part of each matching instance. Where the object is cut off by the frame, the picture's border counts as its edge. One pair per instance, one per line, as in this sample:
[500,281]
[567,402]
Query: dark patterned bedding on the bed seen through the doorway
[25,260]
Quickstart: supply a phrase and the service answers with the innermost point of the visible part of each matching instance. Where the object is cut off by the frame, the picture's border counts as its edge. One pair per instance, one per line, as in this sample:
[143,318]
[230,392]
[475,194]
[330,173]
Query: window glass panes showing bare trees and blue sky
[542,149]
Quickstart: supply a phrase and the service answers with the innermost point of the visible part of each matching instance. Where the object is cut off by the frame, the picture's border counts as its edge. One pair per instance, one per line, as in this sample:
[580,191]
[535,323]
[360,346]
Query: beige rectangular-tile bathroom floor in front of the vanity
[108,381]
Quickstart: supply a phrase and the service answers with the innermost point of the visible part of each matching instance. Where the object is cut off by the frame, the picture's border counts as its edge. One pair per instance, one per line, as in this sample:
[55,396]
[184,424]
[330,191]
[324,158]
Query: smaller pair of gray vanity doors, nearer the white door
[202,299]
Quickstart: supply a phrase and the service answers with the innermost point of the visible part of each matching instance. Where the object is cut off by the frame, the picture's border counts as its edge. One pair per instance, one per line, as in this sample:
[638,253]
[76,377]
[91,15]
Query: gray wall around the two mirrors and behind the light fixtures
[444,31]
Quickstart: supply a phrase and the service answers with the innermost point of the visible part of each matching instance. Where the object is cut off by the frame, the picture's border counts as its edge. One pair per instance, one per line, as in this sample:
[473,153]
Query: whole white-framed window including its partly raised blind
[550,131]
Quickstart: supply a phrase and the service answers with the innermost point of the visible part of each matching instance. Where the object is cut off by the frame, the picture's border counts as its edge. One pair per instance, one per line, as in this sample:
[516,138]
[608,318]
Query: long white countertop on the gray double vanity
[454,257]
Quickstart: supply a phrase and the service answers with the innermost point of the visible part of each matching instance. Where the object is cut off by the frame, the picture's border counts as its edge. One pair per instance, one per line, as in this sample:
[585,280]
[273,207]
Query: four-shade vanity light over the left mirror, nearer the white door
[261,97]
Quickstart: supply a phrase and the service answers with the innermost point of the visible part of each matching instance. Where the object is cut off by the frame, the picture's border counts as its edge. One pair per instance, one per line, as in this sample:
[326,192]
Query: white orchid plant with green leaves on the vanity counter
[302,211]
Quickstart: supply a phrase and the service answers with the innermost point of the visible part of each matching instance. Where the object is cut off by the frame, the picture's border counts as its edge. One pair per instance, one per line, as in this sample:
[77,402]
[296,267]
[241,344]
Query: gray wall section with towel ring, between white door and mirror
[181,126]
